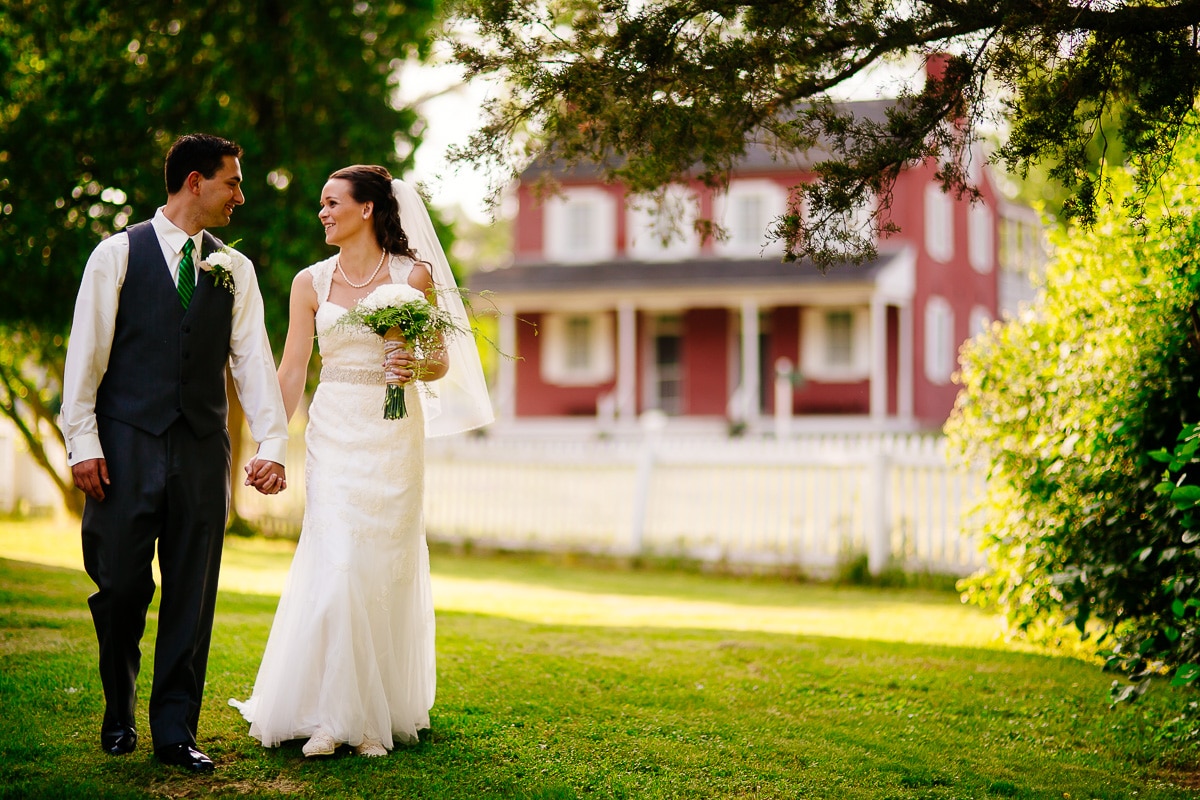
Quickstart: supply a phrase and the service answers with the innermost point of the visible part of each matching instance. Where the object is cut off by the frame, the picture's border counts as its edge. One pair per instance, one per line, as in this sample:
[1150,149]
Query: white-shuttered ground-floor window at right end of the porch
[836,344]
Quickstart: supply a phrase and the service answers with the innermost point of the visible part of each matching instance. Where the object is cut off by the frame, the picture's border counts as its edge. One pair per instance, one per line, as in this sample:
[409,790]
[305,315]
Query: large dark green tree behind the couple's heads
[95,93]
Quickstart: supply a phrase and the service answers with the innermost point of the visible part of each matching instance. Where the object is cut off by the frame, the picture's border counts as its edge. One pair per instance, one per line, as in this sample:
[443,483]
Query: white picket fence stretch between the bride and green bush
[805,502]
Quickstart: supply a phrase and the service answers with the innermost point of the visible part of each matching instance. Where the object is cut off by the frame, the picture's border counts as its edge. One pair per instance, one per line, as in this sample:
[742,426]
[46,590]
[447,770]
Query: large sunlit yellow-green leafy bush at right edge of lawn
[1067,405]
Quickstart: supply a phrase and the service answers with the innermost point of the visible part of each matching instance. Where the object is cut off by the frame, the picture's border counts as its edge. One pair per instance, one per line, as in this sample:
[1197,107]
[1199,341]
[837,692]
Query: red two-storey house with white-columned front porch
[632,314]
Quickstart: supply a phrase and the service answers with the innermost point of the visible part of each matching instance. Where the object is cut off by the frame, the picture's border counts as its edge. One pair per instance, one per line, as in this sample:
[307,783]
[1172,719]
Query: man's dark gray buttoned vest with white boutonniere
[167,363]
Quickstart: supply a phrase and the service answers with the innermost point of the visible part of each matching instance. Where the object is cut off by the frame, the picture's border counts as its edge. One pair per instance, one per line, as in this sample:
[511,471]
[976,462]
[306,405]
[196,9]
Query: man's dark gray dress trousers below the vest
[173,490]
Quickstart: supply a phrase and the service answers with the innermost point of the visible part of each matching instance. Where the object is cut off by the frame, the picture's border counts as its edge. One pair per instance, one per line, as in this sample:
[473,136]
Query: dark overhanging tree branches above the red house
[661,92]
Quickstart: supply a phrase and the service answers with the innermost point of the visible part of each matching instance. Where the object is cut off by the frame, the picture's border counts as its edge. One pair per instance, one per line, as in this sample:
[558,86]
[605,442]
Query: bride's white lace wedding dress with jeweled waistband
[351,651]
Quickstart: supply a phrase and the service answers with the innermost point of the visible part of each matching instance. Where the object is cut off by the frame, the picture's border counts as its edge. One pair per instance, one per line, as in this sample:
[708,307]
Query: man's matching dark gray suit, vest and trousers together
[161,413]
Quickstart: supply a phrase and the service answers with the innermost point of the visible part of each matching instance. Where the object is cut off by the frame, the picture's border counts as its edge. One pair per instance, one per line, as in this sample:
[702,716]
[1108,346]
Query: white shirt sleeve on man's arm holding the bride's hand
[254,368]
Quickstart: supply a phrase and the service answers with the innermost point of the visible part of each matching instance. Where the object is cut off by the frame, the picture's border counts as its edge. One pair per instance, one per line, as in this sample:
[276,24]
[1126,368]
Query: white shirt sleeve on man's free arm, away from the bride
[91,345]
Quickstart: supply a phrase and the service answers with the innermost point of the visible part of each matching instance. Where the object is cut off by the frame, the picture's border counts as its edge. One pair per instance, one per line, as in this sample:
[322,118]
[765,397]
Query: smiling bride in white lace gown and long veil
[350,659]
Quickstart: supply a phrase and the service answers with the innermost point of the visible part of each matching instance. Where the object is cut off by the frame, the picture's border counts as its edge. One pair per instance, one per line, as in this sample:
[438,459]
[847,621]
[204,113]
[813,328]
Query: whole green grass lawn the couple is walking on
[581,682]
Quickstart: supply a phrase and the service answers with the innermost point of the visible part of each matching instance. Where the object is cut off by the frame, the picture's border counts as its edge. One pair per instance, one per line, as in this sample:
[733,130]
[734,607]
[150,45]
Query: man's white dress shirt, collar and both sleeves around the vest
[92,341]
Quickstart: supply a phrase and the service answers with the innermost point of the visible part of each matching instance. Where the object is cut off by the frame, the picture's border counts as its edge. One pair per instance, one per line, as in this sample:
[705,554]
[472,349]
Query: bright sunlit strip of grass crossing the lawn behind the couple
[539,591]
